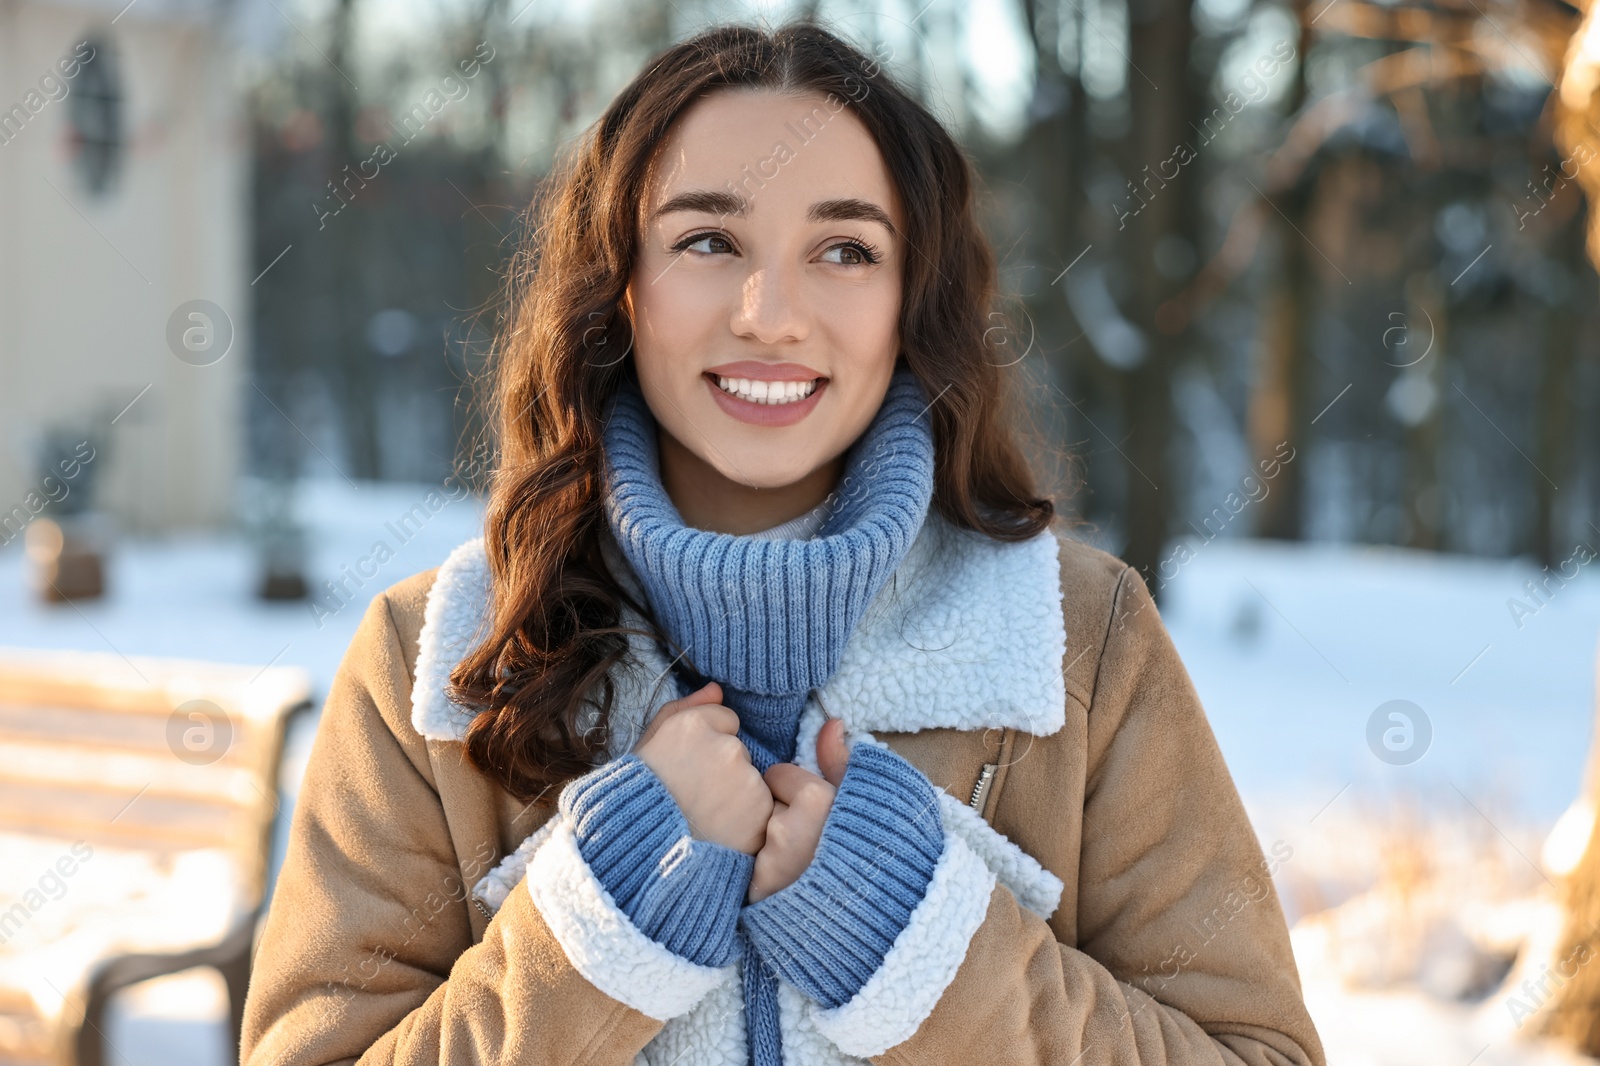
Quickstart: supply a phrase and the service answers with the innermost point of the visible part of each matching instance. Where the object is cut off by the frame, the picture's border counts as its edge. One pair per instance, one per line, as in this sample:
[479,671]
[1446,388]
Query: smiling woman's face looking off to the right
[767,292]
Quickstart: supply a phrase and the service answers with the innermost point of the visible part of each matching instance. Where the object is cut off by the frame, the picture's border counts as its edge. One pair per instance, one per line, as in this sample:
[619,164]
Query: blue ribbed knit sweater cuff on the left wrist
[681,892]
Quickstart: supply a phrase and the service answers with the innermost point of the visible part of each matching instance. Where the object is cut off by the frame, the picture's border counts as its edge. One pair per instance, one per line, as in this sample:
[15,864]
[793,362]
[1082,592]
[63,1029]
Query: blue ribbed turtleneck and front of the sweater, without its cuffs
[769,619]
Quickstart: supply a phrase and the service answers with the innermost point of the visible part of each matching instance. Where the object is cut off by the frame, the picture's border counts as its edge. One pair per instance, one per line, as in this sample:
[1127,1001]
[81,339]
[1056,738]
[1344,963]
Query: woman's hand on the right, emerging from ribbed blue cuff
[801,806]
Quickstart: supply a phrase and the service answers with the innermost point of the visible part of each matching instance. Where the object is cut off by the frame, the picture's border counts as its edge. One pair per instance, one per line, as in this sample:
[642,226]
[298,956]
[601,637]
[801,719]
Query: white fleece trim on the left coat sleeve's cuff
[601,940]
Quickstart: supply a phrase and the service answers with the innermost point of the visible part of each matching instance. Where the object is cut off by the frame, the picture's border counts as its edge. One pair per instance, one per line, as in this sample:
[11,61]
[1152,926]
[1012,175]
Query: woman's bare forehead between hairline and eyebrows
[780,151]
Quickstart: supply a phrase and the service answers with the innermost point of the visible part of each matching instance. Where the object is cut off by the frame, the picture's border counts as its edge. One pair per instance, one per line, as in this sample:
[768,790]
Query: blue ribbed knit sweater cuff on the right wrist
[830,931]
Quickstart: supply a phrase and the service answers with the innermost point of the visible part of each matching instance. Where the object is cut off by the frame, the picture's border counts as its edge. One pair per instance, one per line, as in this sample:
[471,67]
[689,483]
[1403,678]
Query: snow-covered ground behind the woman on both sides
[1294,651]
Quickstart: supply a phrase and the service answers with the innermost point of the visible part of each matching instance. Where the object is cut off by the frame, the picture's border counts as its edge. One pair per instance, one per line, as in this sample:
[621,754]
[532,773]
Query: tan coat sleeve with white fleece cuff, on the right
[1183,953]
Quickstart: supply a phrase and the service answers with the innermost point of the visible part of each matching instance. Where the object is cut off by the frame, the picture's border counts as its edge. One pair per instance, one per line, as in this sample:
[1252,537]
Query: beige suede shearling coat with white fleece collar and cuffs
[1102,897]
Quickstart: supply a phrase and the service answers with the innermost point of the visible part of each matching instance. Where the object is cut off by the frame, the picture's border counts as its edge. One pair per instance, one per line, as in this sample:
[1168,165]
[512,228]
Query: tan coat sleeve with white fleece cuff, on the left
[367,953]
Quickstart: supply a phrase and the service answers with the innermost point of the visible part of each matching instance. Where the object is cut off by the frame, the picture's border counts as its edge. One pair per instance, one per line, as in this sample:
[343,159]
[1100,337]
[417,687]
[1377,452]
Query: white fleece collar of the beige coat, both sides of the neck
[967,635]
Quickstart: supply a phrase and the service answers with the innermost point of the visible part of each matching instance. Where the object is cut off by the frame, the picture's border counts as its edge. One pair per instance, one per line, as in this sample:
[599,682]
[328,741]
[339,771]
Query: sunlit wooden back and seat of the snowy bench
[137,811]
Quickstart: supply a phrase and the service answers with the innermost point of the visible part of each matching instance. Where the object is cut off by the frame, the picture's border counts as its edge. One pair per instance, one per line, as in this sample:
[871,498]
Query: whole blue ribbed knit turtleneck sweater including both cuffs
[769,622]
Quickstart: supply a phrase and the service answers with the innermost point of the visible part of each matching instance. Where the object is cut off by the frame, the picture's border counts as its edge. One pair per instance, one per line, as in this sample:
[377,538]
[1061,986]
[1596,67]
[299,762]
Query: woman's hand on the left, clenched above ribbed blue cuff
[694,747]
